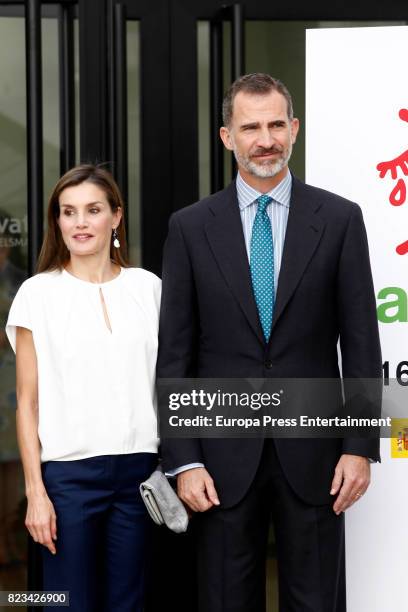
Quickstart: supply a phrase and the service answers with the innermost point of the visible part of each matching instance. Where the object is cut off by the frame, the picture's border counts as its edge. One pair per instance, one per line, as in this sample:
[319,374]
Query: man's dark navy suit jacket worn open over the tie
[209,325]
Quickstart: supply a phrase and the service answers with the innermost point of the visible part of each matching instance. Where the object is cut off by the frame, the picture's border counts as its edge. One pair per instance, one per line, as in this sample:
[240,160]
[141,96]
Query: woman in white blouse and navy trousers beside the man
[84,330]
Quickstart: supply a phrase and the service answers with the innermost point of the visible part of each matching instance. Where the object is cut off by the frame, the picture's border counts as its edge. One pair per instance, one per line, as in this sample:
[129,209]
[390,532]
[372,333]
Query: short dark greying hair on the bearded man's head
[257,83]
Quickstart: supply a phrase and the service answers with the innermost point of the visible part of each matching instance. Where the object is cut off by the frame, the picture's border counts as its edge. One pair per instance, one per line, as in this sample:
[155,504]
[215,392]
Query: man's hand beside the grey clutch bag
[195,488]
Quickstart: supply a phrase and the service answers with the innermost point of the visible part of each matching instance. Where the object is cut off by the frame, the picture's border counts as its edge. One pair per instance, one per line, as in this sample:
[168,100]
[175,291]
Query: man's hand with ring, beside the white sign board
[351,478]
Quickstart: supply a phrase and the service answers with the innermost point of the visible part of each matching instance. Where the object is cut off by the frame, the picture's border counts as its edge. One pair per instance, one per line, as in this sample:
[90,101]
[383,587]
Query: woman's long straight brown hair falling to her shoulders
[54,254]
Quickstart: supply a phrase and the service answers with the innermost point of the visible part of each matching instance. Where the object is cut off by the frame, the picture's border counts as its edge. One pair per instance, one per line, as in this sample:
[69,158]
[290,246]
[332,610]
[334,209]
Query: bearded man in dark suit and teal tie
[261,280]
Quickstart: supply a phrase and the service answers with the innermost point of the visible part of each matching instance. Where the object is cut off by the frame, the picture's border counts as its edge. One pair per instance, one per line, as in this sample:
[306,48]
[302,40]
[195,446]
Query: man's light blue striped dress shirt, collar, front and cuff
[278,212]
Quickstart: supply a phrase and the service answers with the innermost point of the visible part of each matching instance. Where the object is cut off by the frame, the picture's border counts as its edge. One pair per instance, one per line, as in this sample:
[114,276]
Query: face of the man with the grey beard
[261,134]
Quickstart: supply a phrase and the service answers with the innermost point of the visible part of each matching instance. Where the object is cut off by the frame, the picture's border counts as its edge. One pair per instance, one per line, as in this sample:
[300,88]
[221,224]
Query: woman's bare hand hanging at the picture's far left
[41,520]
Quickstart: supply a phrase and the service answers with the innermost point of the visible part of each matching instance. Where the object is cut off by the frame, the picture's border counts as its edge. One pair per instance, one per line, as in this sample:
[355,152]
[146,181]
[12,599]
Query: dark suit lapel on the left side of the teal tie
[226,238]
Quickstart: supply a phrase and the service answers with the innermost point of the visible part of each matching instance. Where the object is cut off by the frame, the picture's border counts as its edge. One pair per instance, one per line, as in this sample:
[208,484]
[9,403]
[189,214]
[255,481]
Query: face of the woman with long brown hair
[86,219]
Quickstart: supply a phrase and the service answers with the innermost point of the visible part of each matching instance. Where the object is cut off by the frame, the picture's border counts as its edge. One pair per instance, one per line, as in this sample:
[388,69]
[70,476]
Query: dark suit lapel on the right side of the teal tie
[303,234]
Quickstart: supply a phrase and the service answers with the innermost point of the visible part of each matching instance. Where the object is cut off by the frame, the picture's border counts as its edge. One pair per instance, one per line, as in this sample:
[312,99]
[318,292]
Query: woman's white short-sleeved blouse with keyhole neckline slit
[96,387]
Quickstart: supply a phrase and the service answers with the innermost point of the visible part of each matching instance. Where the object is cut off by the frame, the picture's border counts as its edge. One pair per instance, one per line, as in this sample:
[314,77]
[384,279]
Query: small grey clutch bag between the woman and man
[162,503]
